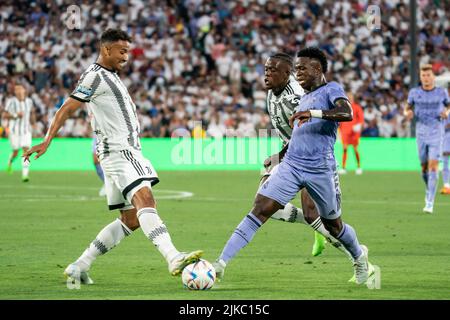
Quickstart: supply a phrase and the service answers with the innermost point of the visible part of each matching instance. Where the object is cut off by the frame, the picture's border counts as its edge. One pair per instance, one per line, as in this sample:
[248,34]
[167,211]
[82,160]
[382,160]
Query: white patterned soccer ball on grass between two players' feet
[199,275]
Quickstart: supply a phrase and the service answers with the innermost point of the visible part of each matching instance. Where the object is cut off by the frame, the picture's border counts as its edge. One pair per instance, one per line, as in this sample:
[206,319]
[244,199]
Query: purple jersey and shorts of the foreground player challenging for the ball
[309,161]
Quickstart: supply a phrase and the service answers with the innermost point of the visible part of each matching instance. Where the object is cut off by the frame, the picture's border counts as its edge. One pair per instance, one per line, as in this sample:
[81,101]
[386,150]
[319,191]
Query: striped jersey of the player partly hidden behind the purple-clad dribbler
[282,107]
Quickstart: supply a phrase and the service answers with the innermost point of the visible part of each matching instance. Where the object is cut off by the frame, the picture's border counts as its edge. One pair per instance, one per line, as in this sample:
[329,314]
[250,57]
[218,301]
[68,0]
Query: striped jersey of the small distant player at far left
[19,126]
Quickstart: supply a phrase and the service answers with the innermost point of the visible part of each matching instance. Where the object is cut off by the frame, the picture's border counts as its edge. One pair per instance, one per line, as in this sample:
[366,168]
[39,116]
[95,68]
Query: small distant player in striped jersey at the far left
[19,112]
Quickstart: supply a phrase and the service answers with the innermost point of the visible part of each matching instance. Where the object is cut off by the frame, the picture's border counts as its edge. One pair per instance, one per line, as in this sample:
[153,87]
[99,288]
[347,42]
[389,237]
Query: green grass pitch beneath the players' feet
[48,222]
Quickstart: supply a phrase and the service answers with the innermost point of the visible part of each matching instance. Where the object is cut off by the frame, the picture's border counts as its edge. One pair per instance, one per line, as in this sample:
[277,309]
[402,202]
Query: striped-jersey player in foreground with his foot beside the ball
[129,176]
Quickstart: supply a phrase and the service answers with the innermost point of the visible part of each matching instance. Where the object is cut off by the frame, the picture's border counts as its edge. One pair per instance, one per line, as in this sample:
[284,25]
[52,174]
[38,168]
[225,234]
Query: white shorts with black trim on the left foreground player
[126,172]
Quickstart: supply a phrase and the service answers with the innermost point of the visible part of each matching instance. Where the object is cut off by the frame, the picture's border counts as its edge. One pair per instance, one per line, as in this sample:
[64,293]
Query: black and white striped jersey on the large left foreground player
[114,117]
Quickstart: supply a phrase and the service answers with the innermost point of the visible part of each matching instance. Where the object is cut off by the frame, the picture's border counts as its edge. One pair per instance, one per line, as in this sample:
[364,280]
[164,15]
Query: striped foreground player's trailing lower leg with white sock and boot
[109,237]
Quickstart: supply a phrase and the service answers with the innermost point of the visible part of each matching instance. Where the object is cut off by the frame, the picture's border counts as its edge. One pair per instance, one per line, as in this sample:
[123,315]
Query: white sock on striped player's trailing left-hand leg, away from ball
[108,238]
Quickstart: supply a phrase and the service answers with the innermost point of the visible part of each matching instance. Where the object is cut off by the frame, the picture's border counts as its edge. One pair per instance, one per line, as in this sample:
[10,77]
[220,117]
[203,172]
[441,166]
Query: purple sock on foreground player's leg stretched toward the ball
[241,236]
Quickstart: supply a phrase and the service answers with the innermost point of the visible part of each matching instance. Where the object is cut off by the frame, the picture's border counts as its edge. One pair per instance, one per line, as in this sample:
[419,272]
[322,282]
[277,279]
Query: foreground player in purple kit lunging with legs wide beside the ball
[309,163]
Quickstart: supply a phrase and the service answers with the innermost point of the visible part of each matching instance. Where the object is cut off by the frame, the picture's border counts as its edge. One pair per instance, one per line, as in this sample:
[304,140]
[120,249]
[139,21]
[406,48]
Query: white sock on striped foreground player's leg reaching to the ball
[155,230]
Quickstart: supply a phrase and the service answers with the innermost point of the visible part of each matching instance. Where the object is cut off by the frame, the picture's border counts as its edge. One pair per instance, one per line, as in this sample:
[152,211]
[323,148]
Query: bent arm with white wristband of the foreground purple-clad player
[342,112]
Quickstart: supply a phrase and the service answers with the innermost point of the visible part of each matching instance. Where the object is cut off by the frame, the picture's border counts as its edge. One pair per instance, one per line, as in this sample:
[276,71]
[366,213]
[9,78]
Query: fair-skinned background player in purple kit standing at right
[429,104]
